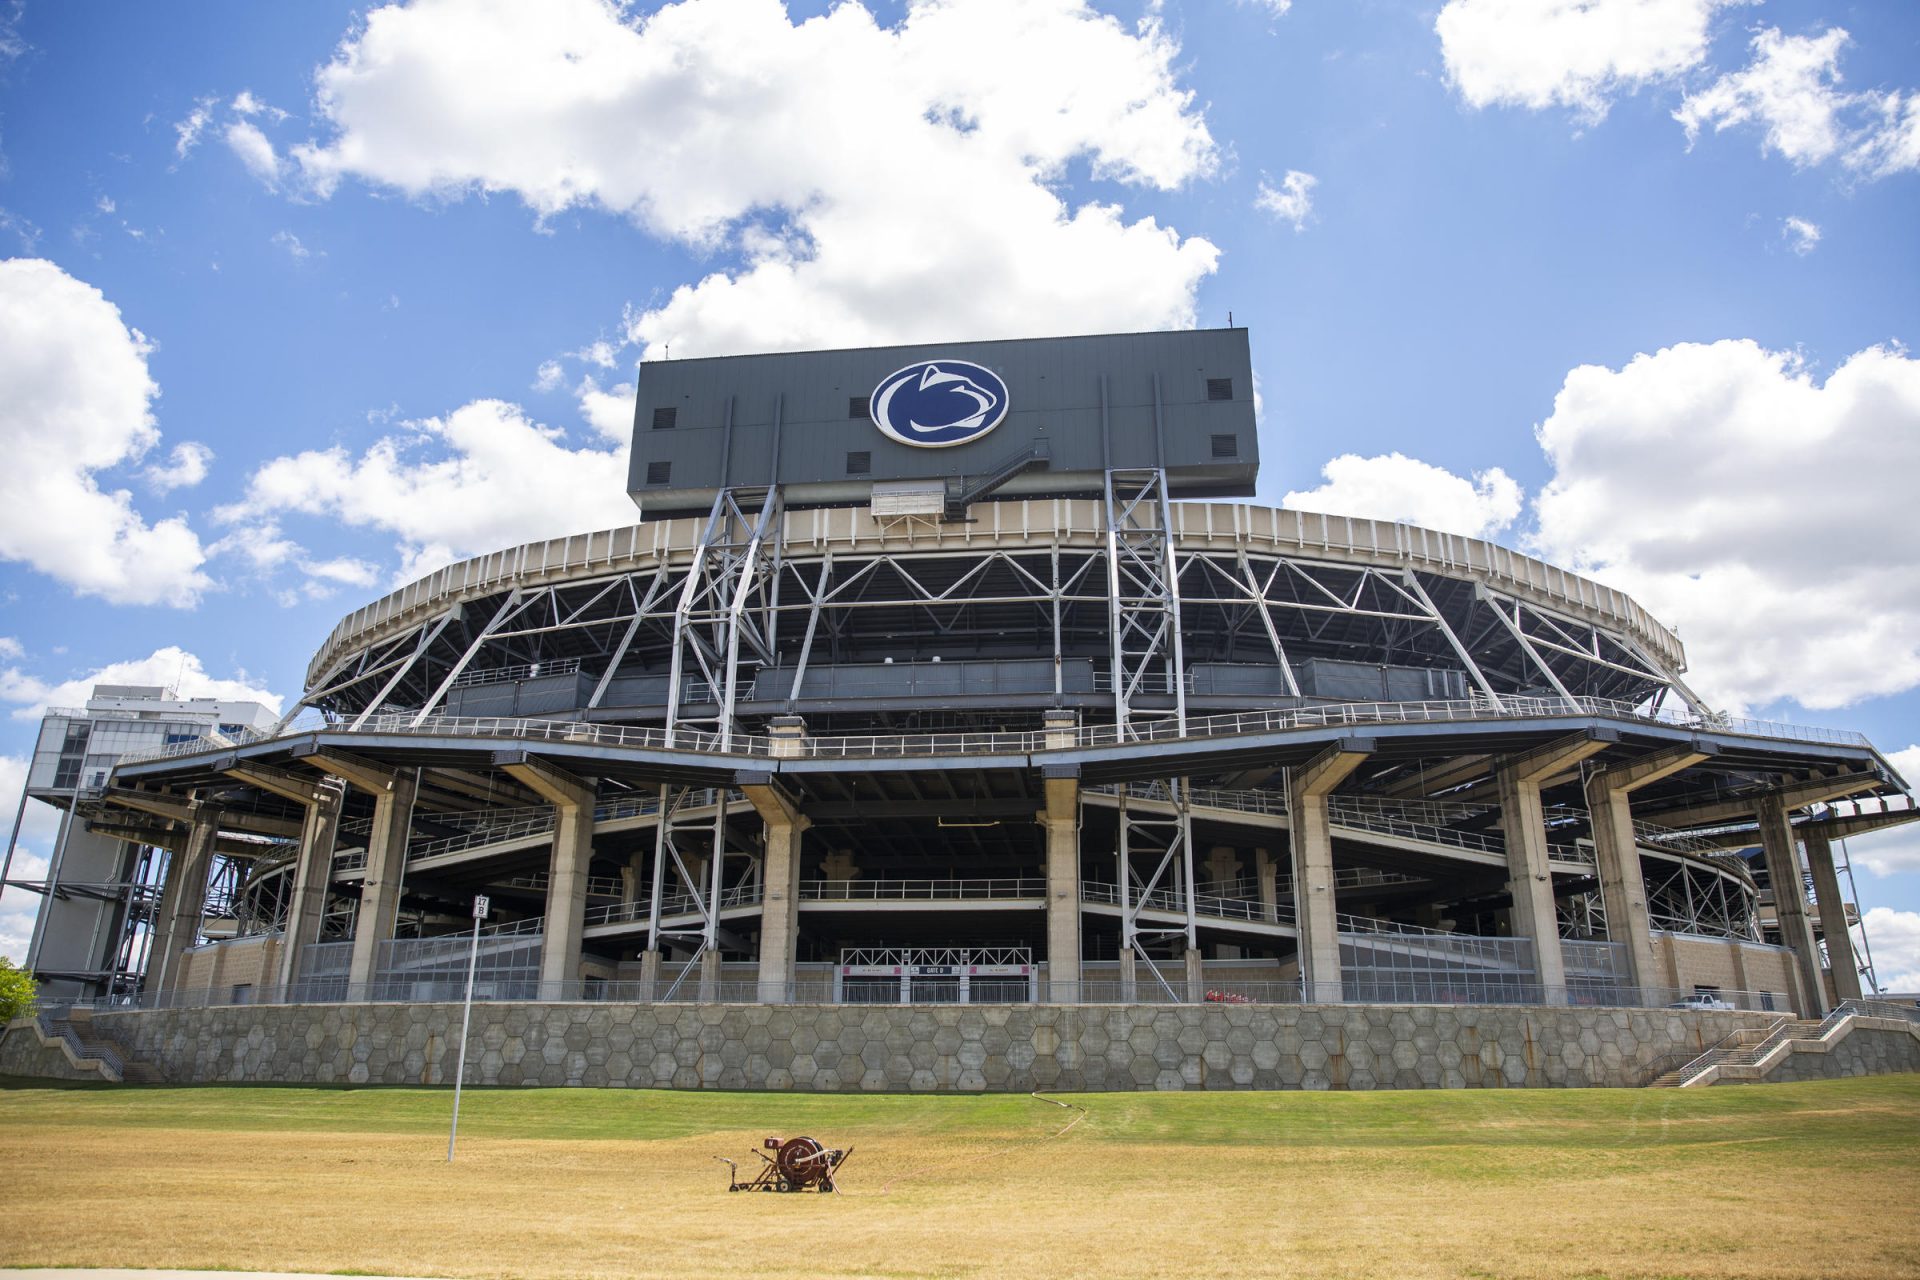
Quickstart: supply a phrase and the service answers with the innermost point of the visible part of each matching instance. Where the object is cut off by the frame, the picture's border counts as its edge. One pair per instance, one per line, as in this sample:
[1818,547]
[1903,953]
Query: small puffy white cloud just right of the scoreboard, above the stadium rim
[1401,488]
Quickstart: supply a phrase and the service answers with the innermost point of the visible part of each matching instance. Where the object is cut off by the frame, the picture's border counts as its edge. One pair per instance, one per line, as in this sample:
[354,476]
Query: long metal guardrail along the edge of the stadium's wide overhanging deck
[896,746]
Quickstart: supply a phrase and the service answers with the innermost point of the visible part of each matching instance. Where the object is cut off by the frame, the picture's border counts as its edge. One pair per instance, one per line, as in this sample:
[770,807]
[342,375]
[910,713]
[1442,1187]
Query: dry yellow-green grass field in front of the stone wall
[1773,1181]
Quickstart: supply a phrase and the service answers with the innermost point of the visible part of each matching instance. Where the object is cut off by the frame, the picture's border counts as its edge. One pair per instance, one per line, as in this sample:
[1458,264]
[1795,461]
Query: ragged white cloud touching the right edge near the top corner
[1792,93]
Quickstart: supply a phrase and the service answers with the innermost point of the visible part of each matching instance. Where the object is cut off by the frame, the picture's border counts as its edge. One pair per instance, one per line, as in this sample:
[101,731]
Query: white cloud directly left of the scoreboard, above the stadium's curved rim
[481,479]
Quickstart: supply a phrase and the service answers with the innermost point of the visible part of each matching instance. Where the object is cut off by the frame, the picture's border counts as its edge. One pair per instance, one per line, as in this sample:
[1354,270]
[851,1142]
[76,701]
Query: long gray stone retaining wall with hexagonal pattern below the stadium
[980,1049]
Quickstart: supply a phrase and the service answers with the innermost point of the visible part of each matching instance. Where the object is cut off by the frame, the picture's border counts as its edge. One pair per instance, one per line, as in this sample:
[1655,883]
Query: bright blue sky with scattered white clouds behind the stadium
[329,296]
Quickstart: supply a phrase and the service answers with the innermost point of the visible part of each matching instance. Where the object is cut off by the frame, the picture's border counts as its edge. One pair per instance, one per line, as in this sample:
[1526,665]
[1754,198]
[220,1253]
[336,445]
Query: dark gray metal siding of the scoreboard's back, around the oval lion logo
[1055,389]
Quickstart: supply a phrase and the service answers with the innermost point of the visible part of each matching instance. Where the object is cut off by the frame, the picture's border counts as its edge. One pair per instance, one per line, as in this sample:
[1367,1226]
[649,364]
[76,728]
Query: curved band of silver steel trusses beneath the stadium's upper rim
[763,627]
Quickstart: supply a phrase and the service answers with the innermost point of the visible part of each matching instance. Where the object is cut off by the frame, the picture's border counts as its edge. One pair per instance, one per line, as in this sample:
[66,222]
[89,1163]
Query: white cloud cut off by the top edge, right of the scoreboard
[1577,55]
